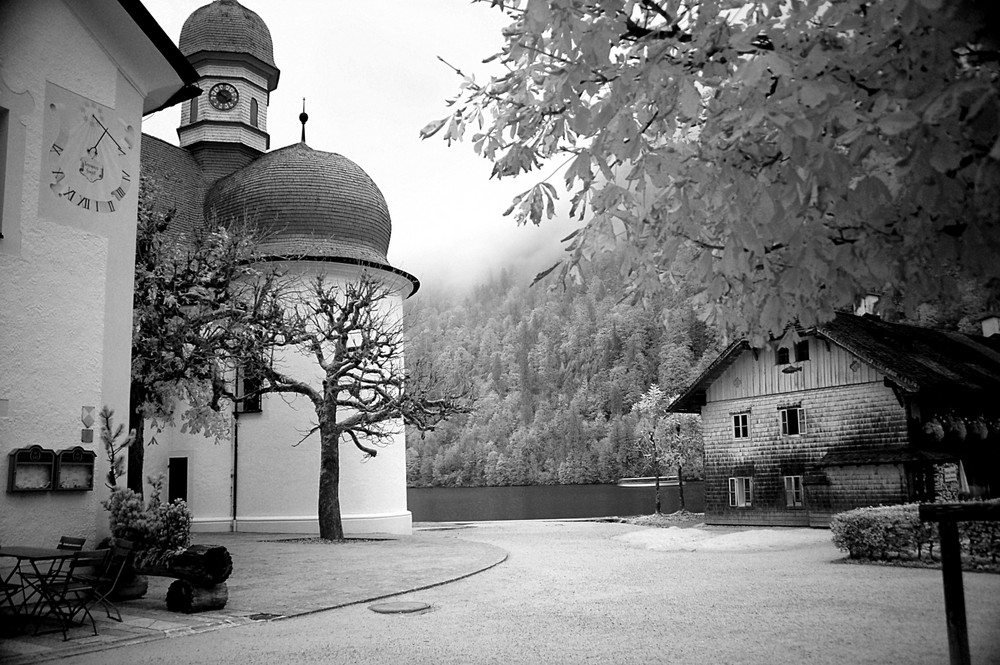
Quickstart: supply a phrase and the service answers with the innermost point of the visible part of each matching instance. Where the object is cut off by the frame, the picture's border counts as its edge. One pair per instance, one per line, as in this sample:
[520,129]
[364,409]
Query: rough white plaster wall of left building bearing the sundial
[66,293]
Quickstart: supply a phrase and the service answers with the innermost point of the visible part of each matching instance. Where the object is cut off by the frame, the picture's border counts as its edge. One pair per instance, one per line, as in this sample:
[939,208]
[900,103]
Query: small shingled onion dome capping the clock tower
[227,30]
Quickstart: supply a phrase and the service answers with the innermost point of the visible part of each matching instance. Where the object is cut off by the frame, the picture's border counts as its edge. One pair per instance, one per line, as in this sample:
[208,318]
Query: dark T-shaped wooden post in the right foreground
[948,515]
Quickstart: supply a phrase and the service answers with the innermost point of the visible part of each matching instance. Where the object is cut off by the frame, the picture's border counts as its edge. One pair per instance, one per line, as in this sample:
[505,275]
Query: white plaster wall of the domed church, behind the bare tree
[277,474]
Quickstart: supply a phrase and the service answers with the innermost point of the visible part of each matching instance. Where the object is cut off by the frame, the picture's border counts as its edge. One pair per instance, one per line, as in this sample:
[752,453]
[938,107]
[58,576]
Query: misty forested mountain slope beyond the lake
[557,373]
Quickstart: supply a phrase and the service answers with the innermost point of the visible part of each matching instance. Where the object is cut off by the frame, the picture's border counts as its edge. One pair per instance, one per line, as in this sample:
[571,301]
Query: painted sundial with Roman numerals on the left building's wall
[90,161]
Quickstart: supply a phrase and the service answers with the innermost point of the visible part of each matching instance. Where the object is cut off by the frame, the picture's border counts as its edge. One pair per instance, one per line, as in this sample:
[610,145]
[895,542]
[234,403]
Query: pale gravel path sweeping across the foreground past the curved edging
[574,592]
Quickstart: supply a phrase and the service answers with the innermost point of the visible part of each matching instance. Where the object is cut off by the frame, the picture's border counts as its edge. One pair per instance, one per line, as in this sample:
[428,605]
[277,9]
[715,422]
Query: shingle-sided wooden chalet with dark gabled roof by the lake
[857,412]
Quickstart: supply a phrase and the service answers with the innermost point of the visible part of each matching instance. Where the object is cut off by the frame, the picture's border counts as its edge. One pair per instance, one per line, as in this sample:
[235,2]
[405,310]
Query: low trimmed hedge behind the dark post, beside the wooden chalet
[896,532]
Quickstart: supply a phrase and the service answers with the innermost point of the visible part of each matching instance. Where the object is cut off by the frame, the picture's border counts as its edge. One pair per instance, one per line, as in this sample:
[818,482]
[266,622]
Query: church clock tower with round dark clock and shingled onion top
[226,127]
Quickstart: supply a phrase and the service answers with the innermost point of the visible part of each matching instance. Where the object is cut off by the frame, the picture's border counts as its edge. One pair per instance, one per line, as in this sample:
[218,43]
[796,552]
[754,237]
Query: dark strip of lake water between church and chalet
[472,504]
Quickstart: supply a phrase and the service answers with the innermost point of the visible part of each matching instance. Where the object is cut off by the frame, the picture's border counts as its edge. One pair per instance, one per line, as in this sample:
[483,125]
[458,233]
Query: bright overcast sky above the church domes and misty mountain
[371,78]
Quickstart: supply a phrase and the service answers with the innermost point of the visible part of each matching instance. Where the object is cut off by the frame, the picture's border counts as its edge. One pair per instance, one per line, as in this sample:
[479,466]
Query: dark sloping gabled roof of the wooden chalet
[917,360]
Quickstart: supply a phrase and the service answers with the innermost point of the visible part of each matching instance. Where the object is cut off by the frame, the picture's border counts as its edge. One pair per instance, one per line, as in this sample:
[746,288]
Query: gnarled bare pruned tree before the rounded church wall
[355,337]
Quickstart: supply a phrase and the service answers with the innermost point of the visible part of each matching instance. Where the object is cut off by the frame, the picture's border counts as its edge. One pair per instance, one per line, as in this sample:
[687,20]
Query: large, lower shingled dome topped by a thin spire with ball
[315,204]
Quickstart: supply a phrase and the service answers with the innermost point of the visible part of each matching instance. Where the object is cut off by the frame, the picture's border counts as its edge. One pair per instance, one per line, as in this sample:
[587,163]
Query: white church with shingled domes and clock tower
[318,207]
